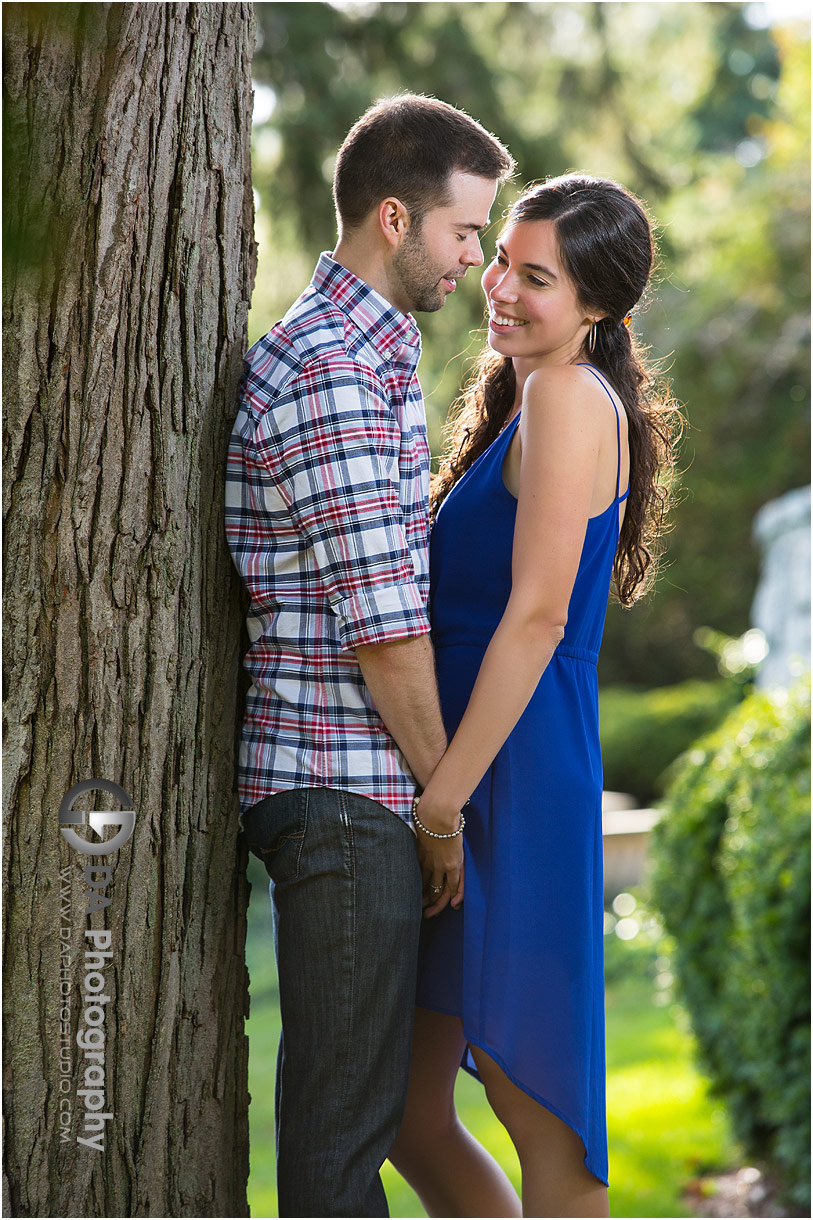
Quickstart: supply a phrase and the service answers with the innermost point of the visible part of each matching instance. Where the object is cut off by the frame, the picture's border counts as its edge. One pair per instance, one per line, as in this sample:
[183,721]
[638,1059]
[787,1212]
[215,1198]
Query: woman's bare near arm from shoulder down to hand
[560,436]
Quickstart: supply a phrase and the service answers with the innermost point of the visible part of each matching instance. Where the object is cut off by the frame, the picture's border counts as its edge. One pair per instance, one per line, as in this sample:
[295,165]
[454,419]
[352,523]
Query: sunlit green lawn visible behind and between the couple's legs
[662,1127]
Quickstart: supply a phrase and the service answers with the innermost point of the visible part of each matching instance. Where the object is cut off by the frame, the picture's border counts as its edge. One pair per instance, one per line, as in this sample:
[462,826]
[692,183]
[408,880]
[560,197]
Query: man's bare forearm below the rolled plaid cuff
[401,679]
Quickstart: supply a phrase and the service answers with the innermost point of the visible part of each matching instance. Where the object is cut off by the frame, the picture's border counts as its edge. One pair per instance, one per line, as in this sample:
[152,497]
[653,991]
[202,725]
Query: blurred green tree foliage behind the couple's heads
[703,110]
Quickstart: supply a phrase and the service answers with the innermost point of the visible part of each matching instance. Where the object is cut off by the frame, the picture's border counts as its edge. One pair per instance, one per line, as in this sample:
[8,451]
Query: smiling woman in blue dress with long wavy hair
[554,486]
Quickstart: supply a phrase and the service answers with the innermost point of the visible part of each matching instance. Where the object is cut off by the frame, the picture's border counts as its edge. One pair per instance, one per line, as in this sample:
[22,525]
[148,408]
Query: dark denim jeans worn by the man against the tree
[347,899]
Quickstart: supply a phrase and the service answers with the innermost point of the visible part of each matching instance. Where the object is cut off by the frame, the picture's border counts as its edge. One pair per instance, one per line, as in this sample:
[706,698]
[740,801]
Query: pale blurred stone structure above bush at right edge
[782,607]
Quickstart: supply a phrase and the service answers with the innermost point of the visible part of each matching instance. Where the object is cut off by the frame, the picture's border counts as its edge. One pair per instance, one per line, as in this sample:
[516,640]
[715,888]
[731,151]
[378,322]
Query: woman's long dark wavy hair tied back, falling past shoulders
[607,248]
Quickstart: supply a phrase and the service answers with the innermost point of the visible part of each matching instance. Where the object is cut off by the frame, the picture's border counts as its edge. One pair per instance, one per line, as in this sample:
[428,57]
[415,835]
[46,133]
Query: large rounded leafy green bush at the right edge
[733,881]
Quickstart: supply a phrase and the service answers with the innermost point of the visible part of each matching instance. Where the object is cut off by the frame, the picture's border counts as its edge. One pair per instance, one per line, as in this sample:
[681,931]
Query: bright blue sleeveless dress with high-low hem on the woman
[523,962]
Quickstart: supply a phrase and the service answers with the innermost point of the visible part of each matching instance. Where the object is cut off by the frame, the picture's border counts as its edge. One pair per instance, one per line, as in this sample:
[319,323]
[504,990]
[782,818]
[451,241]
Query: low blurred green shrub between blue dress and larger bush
[644,731]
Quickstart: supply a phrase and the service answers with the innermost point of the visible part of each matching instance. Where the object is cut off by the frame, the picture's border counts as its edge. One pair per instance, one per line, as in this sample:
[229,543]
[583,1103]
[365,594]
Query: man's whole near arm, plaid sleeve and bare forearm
[336,463]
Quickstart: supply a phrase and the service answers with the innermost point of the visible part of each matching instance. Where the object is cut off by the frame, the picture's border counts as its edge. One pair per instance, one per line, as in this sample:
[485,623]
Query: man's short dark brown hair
[408,147]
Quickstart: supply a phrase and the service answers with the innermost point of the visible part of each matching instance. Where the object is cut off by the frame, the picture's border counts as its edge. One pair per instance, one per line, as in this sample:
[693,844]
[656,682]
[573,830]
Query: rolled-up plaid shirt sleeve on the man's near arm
[334,450]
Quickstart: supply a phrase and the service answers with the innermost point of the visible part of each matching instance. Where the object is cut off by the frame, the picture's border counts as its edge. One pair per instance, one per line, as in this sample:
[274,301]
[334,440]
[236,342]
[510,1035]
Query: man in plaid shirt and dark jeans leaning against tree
[328,524]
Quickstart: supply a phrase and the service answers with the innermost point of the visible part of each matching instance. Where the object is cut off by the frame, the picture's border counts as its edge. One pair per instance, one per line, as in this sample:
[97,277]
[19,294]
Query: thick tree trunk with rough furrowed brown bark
[129,267]
